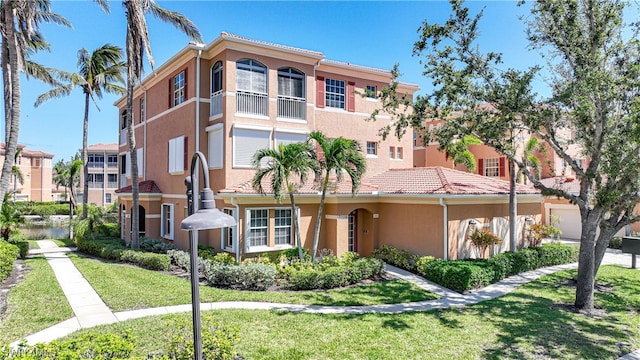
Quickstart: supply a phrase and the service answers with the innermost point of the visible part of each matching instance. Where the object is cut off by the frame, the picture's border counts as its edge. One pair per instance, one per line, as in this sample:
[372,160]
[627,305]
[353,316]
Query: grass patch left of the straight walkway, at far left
[36,303]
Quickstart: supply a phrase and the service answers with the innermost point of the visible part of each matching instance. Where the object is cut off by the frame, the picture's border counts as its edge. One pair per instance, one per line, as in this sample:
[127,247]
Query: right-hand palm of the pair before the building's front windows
[339,156]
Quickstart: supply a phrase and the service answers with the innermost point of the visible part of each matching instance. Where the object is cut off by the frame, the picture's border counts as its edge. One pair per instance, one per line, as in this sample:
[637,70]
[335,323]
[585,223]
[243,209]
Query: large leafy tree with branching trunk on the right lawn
[595,80]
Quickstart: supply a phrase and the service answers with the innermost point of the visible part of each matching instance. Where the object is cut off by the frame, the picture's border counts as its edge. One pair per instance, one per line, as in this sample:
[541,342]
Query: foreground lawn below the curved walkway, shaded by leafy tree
[529,323]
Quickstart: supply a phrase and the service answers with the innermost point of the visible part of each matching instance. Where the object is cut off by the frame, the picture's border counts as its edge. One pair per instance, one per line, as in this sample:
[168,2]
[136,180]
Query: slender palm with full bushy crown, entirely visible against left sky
[99,71]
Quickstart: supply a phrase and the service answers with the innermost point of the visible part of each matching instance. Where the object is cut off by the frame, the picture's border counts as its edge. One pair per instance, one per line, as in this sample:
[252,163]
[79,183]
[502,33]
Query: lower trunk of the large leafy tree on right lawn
[586,261]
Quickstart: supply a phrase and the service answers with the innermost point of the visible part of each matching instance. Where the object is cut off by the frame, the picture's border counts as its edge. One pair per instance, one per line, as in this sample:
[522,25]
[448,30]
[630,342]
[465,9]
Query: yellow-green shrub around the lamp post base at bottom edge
[217,341]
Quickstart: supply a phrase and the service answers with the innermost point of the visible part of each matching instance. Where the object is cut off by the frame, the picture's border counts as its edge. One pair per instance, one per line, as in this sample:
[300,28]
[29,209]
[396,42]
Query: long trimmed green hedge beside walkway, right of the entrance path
[465,275]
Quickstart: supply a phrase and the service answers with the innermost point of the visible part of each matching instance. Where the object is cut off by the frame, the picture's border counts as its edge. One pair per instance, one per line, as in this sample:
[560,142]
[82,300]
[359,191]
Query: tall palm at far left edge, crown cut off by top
[19,22]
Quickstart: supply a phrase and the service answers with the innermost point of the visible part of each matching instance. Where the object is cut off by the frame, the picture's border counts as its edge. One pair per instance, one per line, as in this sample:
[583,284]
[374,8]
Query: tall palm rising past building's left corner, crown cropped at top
[138,41]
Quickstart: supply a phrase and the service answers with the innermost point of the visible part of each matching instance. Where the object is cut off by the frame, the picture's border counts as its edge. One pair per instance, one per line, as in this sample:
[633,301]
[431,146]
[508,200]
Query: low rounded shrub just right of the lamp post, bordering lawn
[252,276]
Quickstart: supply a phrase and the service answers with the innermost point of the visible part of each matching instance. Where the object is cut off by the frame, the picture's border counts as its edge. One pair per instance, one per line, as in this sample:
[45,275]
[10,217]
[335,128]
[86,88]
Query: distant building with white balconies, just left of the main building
[102,163]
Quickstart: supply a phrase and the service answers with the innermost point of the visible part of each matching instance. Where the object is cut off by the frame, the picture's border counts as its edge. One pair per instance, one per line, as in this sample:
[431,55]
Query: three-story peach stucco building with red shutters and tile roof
[234,96]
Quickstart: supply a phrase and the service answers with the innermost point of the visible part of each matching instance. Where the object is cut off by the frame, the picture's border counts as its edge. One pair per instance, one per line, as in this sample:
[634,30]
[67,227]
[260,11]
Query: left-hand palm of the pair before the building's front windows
[295,159]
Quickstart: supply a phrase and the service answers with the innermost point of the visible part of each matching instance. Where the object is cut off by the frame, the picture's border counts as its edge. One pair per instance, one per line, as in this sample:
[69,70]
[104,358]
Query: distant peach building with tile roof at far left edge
[36,169]
